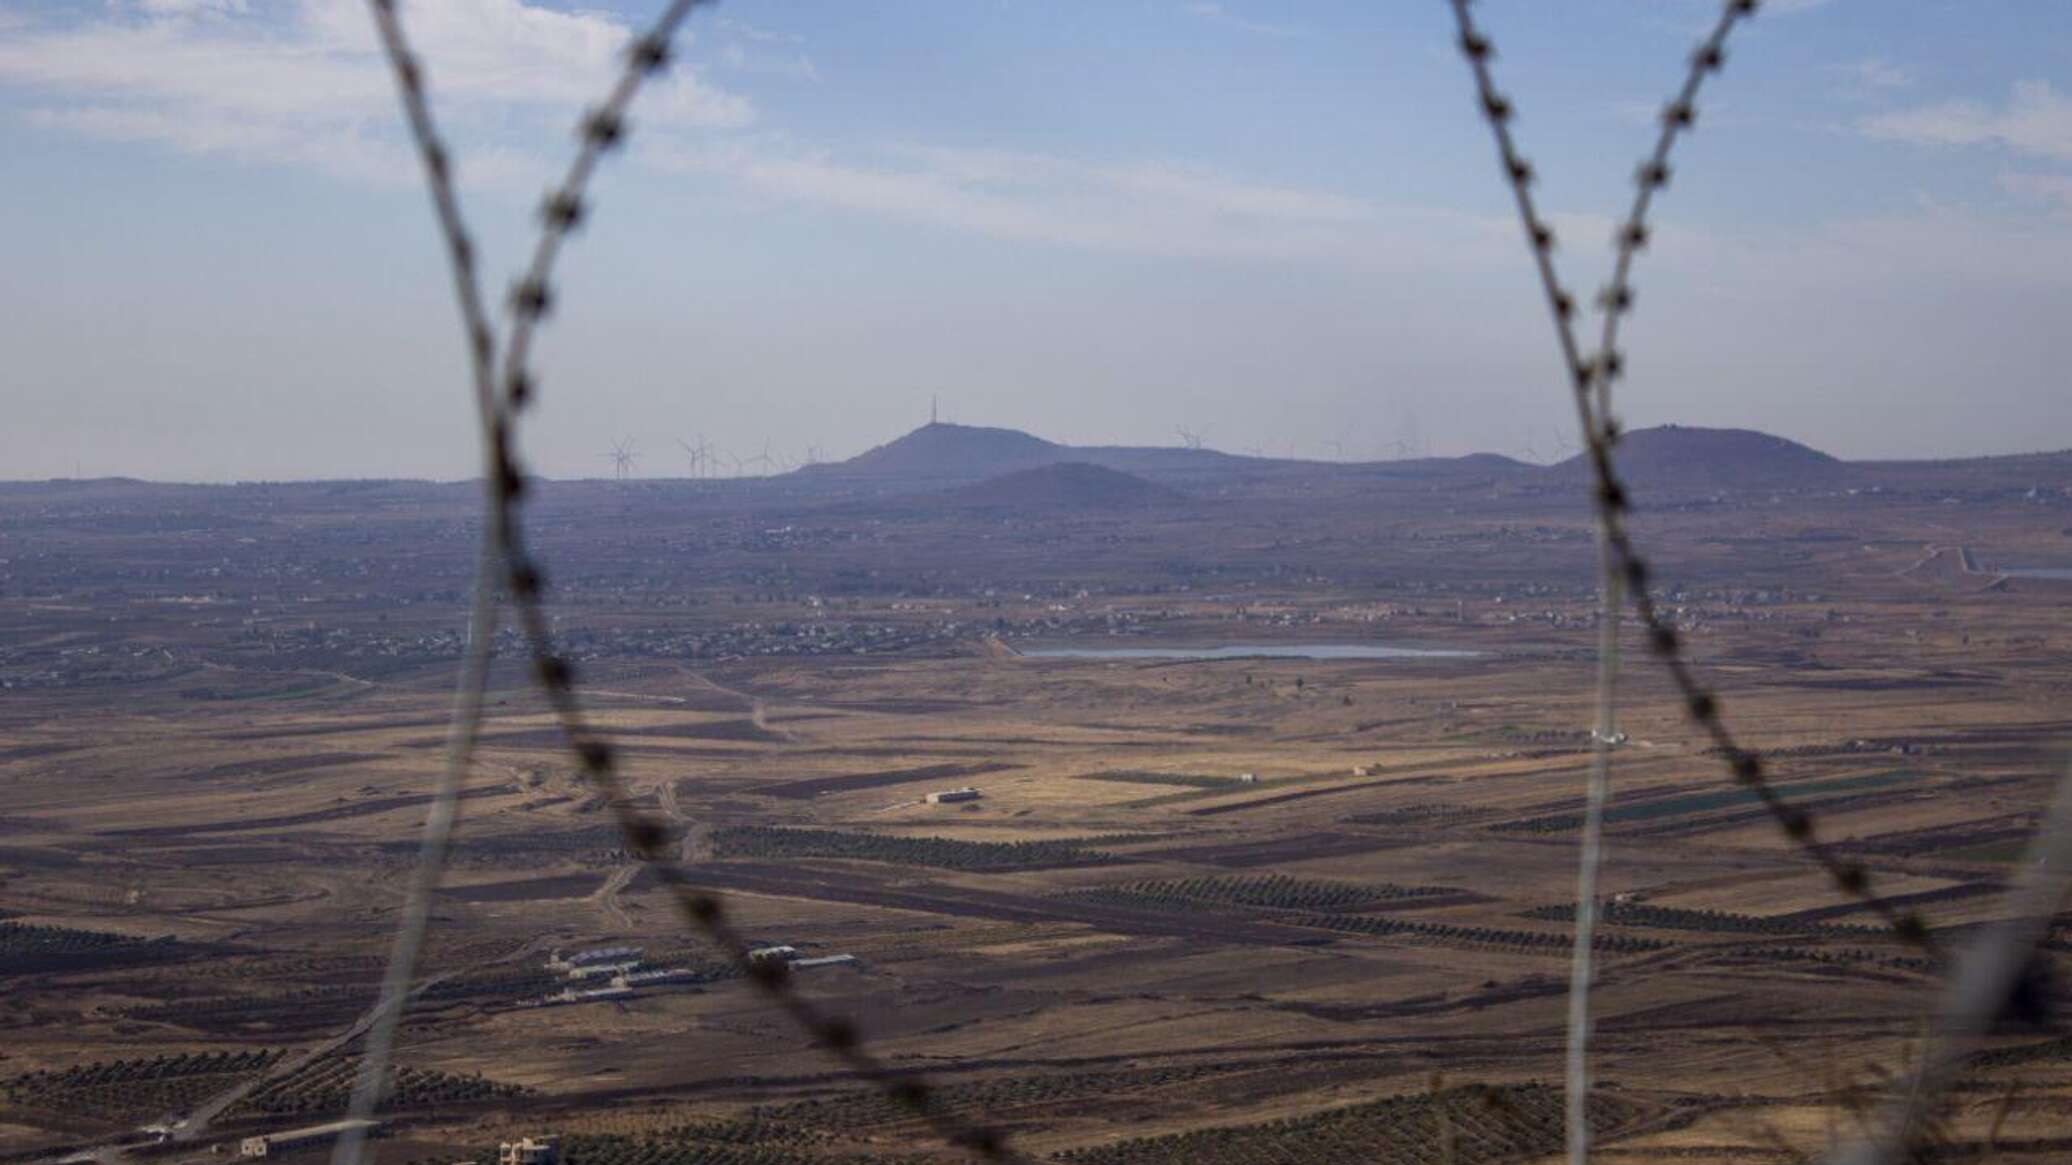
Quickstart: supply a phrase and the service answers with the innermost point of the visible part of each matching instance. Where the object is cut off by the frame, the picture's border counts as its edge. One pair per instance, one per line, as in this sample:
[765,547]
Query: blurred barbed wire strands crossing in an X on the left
[525,584]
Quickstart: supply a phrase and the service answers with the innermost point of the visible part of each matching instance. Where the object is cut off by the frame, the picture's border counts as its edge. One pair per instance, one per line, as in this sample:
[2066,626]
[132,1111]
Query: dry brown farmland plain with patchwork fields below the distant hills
[1234,911]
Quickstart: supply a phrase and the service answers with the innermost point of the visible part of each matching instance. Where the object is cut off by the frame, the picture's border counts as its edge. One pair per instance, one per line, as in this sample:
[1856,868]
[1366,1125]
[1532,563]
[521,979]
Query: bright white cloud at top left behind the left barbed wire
[304,82]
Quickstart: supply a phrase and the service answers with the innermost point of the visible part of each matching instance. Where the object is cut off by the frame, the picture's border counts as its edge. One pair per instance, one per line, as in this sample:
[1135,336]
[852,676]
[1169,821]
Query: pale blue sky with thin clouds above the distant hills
[1275,225]
